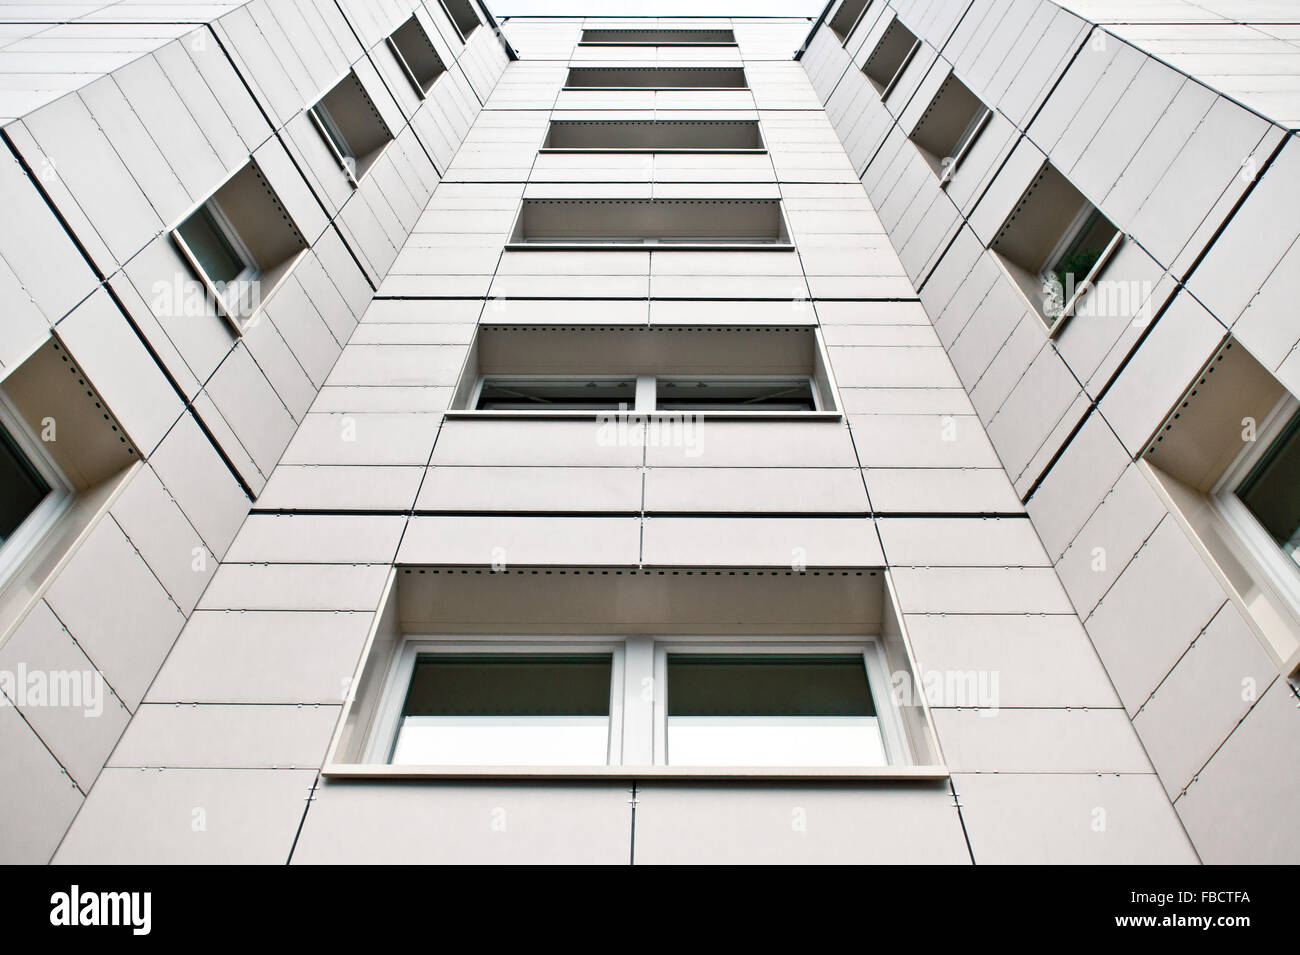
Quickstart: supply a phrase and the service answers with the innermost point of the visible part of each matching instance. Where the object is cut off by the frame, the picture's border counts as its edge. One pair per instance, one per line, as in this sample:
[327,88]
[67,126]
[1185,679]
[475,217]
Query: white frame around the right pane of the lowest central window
[898,753]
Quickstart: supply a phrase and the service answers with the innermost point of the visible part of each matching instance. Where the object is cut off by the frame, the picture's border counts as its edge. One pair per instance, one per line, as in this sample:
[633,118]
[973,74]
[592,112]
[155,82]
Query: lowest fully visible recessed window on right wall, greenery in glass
[1055,245]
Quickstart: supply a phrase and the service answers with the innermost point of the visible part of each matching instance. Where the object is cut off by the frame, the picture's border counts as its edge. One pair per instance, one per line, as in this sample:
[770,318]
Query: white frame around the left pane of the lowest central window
[388,720]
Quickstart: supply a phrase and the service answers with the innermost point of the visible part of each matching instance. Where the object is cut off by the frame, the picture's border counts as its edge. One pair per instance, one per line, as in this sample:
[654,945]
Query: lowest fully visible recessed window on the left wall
[241,245]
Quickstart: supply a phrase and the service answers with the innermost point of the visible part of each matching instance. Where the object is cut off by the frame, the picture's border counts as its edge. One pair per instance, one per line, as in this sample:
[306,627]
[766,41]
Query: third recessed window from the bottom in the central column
[640,223]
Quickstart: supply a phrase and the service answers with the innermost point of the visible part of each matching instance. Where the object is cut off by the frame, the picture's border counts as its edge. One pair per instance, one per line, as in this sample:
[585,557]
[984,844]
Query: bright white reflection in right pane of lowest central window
[775,741]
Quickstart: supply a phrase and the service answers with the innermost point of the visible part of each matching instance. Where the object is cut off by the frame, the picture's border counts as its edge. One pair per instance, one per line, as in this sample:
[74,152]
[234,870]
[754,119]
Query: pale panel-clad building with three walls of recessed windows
[661,441]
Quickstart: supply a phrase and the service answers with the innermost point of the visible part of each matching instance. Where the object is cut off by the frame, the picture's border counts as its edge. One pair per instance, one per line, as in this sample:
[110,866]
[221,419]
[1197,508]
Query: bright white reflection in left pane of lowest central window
[527,741]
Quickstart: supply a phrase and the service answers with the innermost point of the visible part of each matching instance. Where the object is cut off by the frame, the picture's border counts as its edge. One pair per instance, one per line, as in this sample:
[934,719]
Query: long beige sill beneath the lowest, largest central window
[921,774]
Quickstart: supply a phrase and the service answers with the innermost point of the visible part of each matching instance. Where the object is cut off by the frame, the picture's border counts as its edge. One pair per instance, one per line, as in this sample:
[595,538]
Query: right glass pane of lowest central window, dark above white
[774,709]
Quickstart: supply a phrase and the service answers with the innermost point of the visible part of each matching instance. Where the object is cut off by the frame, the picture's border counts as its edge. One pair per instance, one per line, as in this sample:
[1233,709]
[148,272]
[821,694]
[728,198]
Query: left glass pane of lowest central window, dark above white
[506,710]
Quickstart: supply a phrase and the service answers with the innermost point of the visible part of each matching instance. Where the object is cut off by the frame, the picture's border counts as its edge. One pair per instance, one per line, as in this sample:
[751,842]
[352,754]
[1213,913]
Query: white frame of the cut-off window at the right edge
[1258,544]
